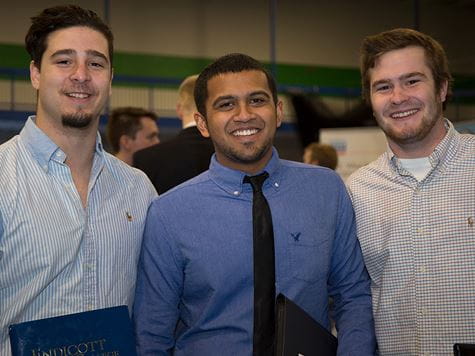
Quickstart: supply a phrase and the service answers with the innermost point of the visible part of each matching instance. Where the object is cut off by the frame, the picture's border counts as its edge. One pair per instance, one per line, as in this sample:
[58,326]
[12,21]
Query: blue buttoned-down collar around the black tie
[231,180]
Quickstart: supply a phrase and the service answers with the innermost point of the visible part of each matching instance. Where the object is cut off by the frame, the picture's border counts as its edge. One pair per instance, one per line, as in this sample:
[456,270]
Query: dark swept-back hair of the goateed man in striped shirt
[60,17]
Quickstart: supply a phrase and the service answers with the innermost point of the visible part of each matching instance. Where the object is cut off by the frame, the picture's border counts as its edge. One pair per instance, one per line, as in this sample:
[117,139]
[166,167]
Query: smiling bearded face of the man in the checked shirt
[405,102]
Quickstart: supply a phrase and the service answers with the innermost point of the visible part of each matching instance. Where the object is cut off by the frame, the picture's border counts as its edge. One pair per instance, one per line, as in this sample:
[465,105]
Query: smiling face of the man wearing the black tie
[241,119]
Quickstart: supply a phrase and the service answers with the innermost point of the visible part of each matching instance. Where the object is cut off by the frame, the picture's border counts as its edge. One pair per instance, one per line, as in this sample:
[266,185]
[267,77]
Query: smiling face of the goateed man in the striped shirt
[75,78]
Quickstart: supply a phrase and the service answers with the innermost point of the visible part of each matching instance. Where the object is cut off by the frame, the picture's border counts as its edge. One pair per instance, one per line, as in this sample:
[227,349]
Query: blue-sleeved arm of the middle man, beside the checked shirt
[350,286]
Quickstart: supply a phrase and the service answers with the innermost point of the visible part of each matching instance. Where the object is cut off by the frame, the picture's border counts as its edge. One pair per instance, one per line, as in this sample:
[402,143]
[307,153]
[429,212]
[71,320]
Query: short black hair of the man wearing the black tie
[230,63]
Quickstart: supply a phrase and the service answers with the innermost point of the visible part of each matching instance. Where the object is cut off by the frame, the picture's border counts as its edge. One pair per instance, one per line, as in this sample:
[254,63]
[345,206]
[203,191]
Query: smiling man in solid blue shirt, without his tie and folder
[195,287]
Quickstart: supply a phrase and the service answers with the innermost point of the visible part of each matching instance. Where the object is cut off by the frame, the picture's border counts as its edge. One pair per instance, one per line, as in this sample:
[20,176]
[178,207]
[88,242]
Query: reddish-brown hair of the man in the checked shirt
[375,46]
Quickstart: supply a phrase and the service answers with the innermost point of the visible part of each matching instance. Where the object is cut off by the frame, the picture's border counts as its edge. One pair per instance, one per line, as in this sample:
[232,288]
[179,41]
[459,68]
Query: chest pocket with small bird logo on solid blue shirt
[309,255]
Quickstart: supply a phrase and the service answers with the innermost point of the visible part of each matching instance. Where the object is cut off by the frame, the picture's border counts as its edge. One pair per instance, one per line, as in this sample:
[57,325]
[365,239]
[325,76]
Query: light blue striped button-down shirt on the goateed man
[55,256]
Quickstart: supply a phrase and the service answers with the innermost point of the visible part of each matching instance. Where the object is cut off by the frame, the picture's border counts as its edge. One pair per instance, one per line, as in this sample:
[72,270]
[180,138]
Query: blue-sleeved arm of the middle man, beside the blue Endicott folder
[159,285]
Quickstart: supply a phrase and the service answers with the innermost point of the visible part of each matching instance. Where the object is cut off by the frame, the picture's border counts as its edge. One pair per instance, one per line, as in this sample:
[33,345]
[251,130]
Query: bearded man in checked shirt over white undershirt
[415,205]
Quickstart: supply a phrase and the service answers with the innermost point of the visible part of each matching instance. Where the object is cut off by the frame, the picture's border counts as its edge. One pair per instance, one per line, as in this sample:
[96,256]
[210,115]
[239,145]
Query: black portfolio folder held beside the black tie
[298,334]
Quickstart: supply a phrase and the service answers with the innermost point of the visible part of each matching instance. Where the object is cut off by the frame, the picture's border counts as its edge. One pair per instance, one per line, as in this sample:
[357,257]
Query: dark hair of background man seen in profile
[125,121]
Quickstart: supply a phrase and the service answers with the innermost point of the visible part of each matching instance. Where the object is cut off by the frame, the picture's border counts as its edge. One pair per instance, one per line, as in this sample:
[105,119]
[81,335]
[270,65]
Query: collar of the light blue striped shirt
[43,148]
